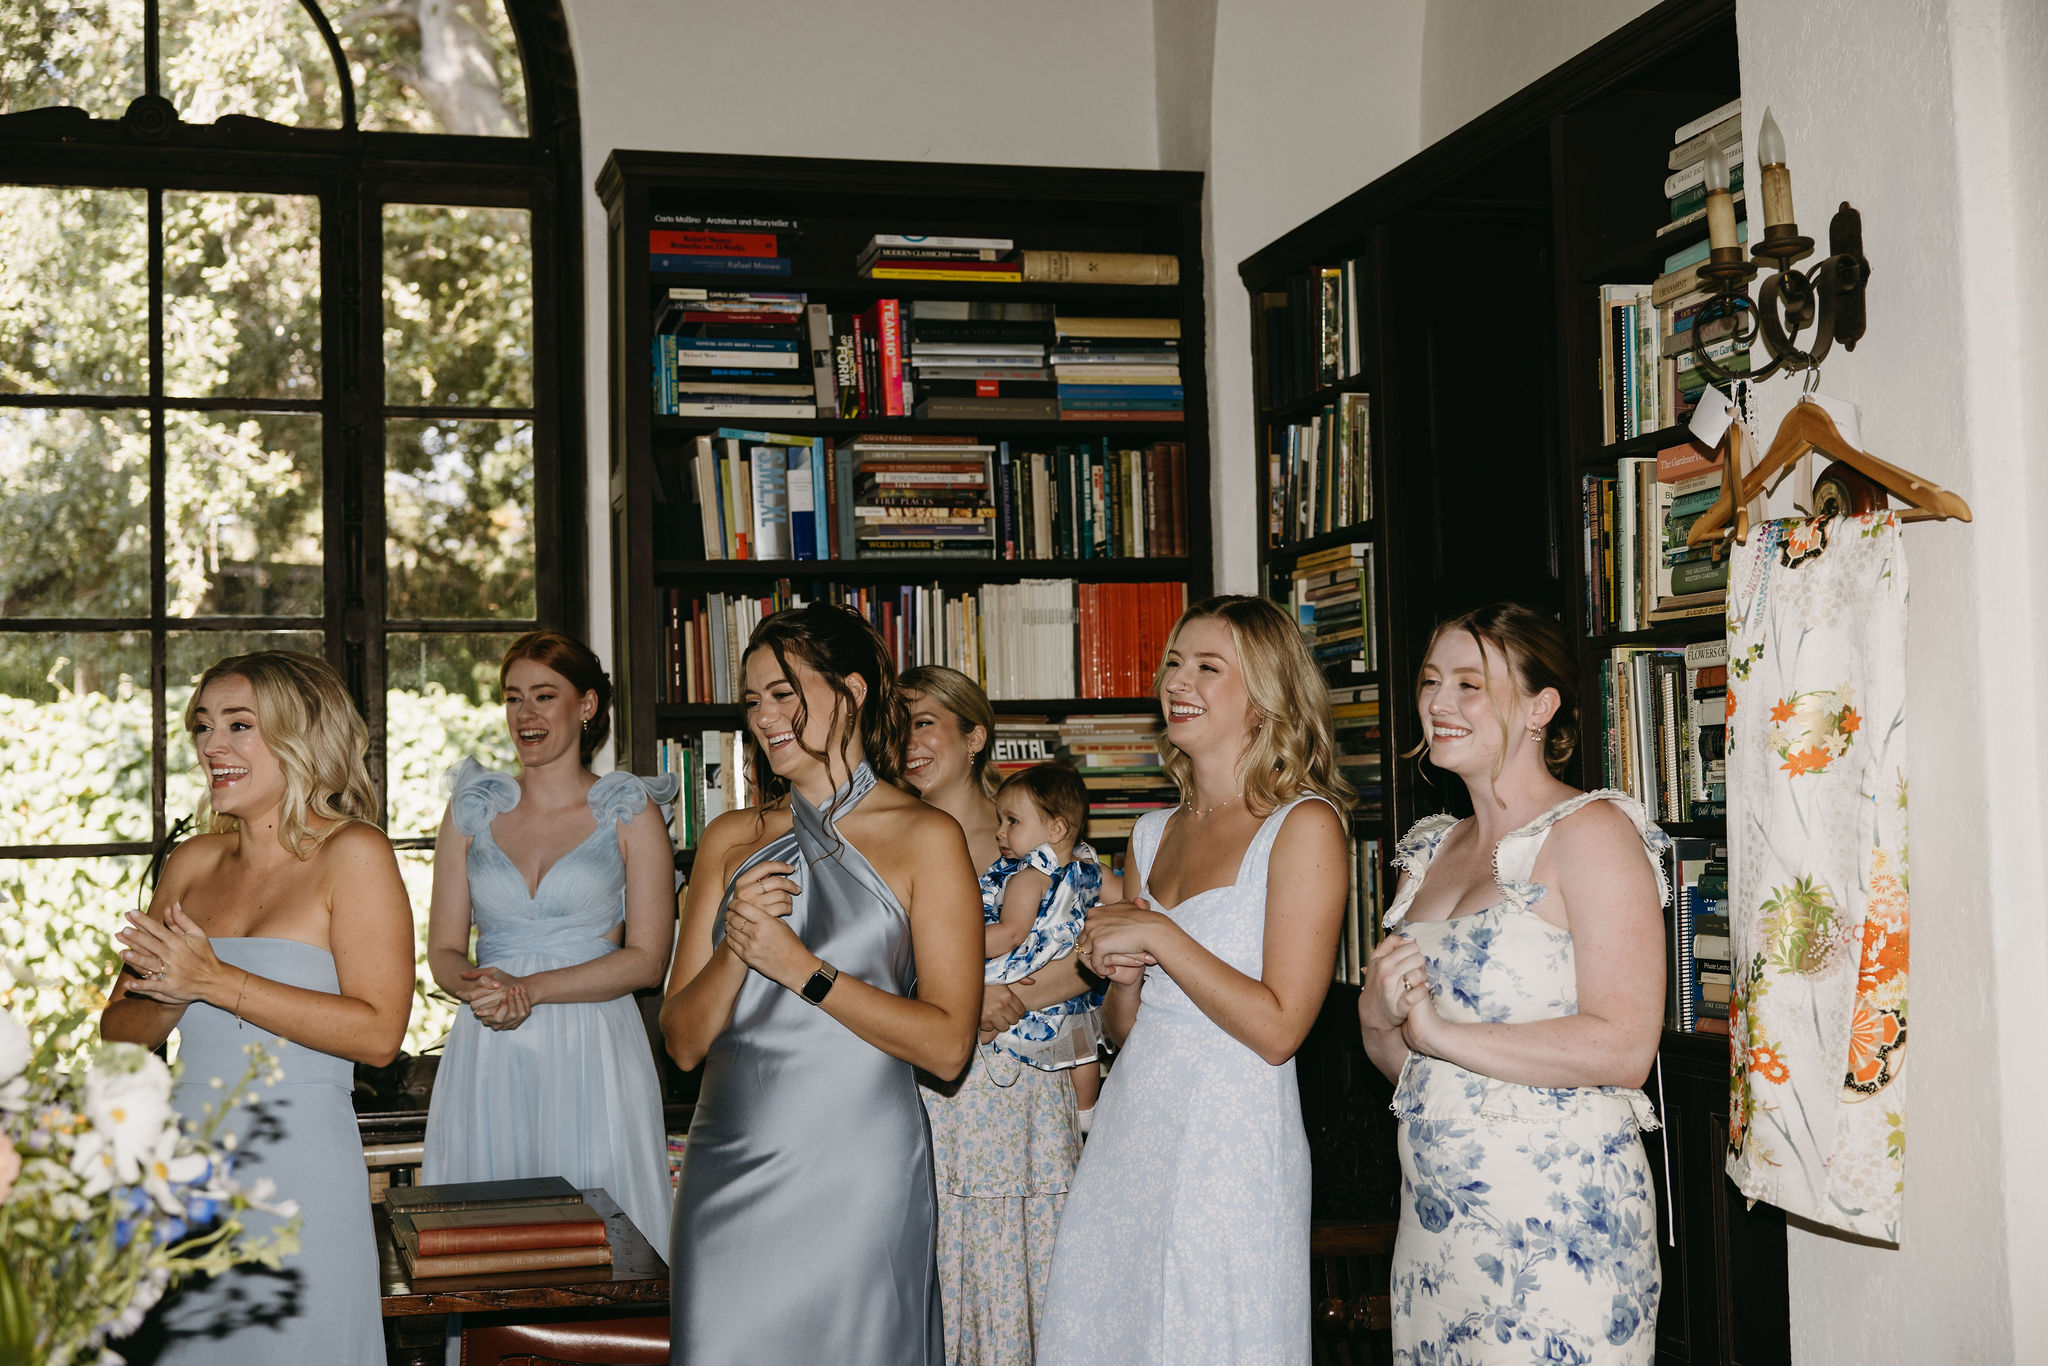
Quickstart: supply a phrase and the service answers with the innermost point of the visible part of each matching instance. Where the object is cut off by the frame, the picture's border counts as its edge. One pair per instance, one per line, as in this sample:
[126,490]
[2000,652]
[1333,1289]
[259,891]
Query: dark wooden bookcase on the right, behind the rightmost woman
[1478,458]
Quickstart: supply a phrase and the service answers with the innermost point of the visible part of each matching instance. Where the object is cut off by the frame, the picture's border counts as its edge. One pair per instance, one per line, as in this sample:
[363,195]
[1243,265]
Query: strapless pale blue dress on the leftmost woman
[321,1308]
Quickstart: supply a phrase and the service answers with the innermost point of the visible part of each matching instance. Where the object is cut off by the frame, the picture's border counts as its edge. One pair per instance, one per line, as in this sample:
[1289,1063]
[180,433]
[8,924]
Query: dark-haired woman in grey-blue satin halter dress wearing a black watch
[830,949]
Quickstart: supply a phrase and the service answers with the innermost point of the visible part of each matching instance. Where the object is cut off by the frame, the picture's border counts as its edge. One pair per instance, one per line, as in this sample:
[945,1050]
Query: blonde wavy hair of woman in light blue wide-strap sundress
[1291,753]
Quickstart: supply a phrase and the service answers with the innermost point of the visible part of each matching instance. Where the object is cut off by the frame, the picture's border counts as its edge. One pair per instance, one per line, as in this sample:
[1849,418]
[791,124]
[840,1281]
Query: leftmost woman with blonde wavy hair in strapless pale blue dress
[288,921]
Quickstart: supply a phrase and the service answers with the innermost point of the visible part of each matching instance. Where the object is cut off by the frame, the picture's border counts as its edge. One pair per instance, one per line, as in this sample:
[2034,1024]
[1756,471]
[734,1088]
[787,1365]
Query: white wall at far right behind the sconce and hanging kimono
[1906,108]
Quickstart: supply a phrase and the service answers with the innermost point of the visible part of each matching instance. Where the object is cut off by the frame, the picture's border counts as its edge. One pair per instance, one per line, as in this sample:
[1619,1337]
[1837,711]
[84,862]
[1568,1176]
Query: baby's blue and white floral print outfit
[1060,1035]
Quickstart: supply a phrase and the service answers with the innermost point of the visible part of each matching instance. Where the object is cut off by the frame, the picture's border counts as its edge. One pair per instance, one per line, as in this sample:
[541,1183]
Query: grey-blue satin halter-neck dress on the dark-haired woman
[806,1222]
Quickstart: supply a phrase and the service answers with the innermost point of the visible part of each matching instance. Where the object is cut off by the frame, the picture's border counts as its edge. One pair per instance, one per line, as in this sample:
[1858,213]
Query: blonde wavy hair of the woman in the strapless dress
[310,724]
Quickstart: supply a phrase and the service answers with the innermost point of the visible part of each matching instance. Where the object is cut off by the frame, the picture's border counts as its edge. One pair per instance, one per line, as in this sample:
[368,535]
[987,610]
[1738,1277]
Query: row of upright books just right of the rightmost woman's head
[1666,728]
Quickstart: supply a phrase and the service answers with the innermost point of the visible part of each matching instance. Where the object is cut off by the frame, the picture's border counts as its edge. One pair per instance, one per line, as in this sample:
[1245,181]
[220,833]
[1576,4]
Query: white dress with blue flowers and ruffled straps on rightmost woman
[1529,1224]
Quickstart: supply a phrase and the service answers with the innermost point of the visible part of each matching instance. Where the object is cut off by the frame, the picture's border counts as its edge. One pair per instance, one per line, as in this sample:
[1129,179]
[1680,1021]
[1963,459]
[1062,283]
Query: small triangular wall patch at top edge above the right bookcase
[1480,52]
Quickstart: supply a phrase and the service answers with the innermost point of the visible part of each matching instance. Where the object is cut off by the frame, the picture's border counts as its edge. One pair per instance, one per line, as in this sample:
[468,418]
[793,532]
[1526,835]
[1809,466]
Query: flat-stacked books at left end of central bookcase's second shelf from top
[732,353]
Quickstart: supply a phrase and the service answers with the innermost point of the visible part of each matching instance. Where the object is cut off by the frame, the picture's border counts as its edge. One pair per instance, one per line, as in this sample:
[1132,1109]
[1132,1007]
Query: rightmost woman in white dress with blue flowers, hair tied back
[1519,1002]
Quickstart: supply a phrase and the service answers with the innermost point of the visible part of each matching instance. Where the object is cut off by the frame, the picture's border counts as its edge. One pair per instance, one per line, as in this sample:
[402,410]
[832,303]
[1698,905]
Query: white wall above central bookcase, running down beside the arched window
[1058,83]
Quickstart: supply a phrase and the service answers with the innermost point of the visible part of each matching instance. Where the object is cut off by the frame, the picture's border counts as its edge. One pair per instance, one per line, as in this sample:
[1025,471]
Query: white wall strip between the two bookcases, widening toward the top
[1310,101]
